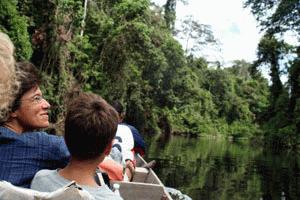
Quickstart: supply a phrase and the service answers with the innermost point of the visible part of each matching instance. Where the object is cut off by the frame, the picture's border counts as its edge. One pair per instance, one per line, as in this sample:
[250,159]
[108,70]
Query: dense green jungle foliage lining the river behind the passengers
[125,50]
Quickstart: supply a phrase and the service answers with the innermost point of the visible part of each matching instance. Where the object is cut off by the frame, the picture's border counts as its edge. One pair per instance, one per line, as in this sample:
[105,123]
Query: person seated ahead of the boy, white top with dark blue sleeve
[120,165]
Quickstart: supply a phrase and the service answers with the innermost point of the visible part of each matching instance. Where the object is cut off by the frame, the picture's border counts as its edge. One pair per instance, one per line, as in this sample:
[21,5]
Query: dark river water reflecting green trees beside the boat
[210,169]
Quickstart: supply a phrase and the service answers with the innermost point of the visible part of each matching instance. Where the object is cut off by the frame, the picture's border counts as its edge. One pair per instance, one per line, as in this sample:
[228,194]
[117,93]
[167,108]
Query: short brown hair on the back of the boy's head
[90,125]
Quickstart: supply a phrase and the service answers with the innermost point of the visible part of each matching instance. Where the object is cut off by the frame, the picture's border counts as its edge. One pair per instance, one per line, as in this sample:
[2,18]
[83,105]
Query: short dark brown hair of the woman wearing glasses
[28,79]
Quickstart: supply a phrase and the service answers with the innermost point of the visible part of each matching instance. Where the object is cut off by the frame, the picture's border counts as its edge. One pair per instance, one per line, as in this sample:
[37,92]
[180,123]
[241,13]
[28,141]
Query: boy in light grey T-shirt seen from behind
[90,127]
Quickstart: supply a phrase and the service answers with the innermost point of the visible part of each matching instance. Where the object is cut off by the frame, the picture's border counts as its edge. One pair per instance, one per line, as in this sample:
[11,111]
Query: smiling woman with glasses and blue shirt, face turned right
[24,151]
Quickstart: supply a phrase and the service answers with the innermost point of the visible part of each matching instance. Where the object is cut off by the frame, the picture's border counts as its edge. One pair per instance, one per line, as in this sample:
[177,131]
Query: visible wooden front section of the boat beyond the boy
[144,186]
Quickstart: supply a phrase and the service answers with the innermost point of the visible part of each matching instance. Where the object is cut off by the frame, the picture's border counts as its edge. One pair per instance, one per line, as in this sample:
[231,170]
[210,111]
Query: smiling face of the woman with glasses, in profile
[33,111]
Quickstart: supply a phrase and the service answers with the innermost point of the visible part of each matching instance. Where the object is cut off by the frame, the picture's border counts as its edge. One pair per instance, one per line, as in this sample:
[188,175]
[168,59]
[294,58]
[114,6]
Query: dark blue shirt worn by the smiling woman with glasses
[22,155]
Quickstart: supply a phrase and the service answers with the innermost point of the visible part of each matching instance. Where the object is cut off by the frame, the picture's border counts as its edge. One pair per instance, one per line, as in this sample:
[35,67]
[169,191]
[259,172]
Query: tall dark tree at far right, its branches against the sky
[277,17]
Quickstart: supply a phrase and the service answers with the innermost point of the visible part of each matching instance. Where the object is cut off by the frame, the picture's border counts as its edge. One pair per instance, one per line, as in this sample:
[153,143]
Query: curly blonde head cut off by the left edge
[8,82]
